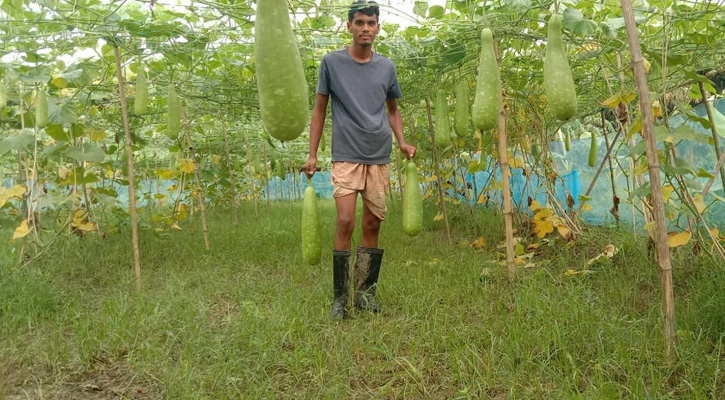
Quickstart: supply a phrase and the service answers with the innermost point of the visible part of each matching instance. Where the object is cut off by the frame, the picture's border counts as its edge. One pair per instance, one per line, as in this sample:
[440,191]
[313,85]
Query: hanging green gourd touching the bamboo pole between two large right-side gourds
[488,88]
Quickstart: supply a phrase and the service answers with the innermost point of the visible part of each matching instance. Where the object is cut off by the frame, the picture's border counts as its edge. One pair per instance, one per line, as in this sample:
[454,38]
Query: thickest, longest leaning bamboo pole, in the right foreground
[663,251]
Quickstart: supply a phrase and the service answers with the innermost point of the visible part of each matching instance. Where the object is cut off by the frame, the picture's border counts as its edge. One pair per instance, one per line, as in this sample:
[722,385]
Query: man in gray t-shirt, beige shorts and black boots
[361,83]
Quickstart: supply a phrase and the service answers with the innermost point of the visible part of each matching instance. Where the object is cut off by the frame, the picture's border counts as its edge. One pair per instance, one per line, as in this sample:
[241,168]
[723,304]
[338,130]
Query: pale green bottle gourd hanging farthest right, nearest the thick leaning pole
[558,81]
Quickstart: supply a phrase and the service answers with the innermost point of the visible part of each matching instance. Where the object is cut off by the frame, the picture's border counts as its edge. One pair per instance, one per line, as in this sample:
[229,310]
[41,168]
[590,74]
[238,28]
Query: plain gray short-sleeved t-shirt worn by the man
[360,129]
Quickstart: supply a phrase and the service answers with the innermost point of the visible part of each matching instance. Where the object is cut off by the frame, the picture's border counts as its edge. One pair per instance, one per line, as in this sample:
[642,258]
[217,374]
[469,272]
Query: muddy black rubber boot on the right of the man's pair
[367,270]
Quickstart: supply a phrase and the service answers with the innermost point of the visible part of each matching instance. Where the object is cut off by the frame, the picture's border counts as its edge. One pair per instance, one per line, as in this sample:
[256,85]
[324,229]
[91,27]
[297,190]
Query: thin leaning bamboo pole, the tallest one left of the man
[131,176]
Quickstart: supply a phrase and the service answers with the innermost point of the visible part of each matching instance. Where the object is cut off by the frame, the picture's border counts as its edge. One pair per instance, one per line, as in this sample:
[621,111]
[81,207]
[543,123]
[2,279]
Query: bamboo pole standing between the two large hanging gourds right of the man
[506,175]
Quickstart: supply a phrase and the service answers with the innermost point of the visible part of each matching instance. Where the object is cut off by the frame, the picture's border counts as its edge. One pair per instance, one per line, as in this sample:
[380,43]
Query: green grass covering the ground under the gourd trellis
[250,320]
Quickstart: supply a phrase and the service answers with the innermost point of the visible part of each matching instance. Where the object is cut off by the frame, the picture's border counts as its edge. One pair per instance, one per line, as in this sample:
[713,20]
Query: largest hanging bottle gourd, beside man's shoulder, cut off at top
[281,83]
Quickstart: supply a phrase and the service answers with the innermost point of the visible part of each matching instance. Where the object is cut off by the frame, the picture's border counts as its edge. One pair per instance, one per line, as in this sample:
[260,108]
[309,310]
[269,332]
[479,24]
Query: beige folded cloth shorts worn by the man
[371,181]
